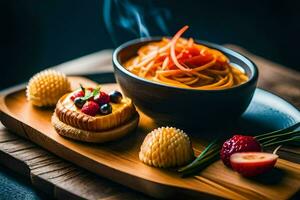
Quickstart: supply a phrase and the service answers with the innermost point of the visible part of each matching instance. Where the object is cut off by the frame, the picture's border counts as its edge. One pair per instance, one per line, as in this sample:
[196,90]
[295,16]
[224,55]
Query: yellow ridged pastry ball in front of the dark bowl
[166,147]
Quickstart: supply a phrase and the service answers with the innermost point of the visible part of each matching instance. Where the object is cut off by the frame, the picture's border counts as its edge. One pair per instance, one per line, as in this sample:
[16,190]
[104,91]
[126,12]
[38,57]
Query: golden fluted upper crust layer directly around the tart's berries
[67,113]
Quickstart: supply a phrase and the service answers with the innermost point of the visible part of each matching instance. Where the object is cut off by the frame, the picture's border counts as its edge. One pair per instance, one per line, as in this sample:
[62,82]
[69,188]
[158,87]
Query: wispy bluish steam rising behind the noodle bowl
[123,18]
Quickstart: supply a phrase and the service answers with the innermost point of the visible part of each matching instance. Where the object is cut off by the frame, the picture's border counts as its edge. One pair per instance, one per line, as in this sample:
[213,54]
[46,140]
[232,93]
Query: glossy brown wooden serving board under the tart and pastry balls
[119,161]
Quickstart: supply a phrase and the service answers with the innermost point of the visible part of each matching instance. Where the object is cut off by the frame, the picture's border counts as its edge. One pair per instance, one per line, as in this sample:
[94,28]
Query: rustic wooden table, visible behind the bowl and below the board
[63,180]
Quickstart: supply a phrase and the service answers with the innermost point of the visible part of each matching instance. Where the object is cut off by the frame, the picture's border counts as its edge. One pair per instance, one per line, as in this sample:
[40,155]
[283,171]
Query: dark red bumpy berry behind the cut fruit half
[238,143]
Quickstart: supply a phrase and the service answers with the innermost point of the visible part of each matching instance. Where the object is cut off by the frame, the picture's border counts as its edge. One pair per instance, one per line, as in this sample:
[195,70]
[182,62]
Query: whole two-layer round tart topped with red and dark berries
[91,115]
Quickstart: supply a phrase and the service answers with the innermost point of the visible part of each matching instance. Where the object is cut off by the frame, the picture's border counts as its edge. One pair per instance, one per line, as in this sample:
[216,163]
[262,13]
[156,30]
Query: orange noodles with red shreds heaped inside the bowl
[183,63]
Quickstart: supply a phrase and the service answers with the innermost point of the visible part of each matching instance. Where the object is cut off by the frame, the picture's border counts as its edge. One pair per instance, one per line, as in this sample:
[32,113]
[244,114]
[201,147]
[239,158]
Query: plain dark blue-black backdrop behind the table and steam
[37,34]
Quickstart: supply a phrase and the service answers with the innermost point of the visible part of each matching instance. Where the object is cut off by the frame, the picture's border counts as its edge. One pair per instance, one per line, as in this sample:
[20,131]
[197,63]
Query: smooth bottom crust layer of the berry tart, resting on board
[92,136]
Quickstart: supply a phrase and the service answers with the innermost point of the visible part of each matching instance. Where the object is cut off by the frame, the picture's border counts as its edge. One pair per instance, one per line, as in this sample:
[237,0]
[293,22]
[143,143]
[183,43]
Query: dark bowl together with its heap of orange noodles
[185,81]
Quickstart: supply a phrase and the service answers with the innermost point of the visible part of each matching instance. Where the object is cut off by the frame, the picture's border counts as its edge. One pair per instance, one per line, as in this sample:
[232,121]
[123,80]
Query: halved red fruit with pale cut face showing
[252,163]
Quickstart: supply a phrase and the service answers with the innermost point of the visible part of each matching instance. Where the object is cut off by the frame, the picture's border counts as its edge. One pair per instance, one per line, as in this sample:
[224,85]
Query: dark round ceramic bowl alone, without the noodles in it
[176,105]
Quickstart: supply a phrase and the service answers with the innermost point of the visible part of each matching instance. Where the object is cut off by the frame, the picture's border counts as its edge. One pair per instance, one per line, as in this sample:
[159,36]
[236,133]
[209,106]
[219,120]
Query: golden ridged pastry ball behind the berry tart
[46,87]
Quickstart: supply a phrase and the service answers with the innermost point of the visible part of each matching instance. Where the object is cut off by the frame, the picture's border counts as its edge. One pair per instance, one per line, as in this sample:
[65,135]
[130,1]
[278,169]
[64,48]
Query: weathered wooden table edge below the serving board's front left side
[54,176]
